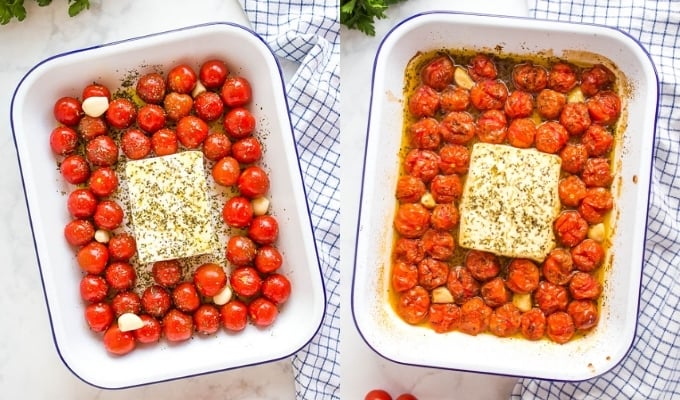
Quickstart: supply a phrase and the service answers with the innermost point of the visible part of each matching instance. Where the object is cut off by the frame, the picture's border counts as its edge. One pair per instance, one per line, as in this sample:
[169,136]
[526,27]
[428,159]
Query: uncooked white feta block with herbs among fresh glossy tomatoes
[169,206]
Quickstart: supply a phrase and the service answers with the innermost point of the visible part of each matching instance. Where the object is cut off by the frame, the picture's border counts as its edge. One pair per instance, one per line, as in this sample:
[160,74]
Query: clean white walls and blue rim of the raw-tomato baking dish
[32,121]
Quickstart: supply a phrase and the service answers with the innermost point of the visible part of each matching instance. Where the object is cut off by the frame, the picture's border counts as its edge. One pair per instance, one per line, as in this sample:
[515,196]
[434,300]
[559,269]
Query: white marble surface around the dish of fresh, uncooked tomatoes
[30,367]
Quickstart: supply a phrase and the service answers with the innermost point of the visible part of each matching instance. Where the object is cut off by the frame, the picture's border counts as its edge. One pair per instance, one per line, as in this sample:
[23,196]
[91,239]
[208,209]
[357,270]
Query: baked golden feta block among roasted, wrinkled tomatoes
[510,201]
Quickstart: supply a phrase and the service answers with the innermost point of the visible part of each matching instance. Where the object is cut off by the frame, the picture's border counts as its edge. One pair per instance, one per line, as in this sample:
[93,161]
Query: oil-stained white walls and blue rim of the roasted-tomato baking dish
[376,320]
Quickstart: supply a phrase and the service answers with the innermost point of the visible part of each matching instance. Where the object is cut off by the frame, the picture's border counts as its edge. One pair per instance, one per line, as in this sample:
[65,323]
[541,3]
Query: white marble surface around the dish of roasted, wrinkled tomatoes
[362,369]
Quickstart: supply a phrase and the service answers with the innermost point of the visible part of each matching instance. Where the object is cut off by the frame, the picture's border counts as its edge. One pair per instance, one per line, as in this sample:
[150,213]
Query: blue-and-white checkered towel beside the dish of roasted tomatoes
[651,370]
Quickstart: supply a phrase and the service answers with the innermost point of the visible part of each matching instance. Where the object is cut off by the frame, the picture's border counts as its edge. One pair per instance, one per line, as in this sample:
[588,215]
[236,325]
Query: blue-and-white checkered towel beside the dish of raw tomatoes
[308,32]
